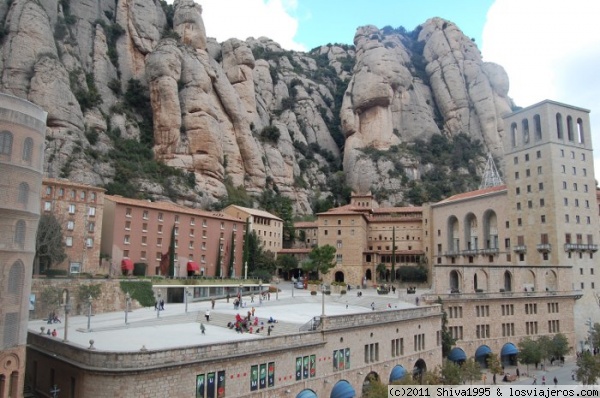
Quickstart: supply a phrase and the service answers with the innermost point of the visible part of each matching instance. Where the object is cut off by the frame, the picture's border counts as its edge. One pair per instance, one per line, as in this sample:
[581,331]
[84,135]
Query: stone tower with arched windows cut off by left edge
[22,135]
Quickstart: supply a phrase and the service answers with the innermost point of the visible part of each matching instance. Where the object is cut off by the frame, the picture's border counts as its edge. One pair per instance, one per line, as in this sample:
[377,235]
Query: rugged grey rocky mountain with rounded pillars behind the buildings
[142,101]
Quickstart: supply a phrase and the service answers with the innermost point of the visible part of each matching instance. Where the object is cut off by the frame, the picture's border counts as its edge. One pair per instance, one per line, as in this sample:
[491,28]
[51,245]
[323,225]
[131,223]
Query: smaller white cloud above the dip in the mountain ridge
[225,19]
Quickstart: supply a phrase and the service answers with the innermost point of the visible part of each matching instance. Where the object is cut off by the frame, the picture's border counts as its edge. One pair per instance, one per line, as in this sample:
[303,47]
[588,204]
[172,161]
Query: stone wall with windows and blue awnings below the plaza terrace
[345,349]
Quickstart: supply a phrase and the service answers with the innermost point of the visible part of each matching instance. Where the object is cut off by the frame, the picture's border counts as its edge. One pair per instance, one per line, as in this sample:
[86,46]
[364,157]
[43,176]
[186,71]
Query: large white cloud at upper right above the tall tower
[550,50]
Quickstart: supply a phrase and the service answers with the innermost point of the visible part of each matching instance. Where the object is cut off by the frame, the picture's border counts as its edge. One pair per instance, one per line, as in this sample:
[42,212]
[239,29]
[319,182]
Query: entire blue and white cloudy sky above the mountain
[550,49]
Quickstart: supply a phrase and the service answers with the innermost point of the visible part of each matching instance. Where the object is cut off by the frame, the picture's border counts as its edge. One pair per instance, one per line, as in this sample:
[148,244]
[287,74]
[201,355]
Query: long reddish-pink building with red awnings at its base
[139,231]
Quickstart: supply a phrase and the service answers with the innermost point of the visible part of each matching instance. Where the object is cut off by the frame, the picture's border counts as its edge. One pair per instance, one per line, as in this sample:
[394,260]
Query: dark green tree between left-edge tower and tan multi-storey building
[49,245]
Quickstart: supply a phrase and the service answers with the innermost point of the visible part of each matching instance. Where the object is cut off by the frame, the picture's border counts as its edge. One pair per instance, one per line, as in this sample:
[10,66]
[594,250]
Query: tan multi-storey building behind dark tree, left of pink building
[78,208]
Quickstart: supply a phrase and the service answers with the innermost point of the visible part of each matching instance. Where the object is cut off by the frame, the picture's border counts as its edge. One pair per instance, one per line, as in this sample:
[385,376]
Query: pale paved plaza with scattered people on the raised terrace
[173,327]
